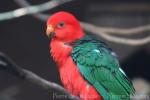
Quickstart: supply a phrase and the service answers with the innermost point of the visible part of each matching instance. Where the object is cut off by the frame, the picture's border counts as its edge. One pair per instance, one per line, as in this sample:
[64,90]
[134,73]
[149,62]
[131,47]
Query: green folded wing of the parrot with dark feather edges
[100,68]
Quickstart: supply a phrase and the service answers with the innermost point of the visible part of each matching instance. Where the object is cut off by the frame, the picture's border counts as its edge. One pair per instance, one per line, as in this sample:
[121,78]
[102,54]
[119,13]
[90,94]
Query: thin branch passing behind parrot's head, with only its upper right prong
[110,30]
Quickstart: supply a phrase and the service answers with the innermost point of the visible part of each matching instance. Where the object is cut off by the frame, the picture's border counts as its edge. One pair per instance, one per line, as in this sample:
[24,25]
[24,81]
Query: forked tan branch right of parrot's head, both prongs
[105,33]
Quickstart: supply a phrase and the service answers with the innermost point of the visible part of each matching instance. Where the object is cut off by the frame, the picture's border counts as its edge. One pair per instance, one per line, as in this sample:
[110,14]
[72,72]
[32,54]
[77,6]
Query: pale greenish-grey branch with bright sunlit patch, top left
[29,10]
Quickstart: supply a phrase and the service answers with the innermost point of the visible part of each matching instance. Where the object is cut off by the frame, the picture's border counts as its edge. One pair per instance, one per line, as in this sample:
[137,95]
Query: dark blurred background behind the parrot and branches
[24,40]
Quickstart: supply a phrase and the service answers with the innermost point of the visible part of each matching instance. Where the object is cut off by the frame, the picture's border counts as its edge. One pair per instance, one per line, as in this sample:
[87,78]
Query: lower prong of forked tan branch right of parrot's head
[102,33]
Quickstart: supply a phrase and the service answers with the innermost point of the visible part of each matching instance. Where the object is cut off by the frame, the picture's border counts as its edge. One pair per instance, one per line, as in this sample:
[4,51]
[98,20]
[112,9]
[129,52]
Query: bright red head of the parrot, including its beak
[64,27]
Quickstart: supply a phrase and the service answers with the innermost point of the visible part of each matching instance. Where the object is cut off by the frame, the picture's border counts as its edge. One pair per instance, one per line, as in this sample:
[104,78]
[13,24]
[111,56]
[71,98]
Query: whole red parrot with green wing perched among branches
[87,66]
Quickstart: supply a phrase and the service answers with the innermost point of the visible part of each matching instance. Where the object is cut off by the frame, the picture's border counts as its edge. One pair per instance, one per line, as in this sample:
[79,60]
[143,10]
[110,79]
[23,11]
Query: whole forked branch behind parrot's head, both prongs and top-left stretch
[104,32]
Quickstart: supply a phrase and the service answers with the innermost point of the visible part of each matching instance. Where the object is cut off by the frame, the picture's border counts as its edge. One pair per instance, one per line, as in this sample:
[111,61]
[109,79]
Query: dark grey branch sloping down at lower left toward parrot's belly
[6,64]
